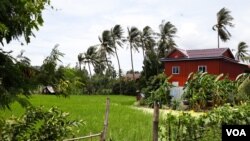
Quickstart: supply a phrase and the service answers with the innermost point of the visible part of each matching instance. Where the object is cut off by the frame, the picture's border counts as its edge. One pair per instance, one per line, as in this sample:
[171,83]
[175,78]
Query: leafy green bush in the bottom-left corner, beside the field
[38,125]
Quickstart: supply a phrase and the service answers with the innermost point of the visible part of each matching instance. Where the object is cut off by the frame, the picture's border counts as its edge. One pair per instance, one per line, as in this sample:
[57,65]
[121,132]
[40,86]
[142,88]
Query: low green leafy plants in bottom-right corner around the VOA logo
[185,127]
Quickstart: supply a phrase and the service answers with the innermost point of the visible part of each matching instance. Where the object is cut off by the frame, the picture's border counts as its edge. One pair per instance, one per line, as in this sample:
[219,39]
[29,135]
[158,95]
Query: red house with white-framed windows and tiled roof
[180,63]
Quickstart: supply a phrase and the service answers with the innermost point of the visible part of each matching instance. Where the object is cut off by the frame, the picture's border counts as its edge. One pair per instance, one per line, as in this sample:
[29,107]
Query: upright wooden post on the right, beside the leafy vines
[155,121]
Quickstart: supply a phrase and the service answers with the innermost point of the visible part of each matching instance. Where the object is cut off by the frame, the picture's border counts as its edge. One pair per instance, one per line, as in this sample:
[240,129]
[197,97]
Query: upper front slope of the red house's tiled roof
[215,52]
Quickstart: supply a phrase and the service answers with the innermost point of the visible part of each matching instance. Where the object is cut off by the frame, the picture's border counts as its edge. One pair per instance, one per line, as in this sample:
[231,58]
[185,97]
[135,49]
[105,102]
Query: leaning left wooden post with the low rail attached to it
[102,134]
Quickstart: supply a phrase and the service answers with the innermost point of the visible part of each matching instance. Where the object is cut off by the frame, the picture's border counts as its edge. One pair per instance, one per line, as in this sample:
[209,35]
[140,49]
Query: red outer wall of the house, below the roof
[213,67]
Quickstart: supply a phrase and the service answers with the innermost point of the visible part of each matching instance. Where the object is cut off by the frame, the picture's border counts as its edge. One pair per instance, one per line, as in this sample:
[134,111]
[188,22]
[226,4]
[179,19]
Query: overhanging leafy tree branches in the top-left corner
[20,18]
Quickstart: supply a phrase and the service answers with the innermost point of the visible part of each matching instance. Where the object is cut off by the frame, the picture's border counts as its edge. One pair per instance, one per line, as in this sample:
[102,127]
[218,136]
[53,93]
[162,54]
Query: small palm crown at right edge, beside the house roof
[242,52]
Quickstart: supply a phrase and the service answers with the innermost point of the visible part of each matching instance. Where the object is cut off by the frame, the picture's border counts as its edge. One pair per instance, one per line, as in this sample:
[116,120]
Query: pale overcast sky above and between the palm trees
[77,24]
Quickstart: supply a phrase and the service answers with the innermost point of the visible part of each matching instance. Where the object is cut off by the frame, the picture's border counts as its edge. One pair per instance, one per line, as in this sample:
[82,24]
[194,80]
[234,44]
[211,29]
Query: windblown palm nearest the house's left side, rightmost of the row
[166,42]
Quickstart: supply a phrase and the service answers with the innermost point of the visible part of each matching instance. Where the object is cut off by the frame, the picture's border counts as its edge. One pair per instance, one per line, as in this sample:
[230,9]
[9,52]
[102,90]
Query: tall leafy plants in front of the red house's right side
[204,90]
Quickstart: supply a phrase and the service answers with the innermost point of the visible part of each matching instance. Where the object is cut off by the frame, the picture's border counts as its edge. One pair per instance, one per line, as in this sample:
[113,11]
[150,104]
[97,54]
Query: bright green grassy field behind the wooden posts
[125,122]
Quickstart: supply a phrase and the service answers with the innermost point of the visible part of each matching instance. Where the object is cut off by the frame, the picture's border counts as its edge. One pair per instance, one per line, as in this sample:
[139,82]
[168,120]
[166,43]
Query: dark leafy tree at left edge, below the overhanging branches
[16,77]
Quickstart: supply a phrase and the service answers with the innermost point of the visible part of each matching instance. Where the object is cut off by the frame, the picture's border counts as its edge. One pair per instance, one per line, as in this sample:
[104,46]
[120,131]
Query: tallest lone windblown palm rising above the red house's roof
[223,19]
